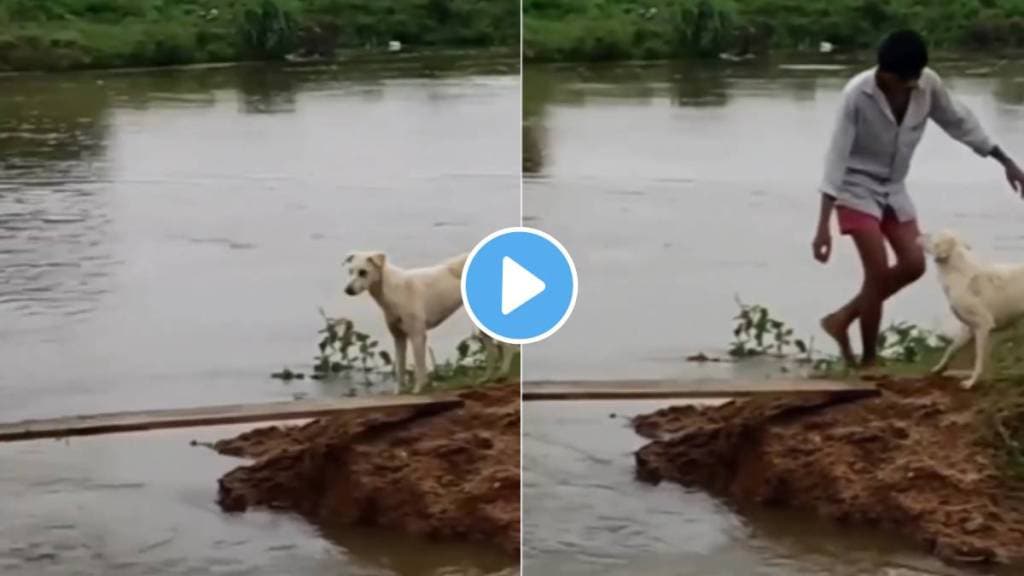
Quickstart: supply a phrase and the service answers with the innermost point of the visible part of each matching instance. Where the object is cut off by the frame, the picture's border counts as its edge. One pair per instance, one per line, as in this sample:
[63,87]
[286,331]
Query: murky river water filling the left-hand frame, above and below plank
[166,238]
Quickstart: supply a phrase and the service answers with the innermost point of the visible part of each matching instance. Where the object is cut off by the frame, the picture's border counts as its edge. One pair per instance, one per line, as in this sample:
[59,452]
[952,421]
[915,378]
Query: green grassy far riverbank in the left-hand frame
[79,34]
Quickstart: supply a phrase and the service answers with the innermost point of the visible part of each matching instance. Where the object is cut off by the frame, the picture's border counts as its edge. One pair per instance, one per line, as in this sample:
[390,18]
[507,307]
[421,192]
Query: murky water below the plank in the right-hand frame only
[585,514]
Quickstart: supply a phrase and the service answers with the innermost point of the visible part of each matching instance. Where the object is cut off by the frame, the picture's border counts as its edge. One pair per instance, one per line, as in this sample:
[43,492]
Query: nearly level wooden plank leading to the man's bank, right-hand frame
[669,390]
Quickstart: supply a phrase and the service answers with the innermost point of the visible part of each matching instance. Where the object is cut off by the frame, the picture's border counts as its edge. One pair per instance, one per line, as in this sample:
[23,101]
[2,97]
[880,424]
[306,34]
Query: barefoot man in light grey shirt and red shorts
[882,119]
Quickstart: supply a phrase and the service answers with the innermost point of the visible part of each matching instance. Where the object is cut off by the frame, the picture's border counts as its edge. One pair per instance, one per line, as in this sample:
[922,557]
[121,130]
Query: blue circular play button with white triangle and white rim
[520,285]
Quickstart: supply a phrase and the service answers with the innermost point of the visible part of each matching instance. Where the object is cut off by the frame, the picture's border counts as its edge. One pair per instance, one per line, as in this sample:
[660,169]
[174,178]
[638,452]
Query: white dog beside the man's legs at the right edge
[985,298]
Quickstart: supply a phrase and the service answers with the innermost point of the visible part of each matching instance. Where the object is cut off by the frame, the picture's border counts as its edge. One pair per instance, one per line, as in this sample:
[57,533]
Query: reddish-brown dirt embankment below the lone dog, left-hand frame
[452,476]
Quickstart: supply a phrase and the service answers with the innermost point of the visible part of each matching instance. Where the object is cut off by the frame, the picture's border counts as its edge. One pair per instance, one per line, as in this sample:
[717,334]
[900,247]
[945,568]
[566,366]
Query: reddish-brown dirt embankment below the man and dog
[919,460]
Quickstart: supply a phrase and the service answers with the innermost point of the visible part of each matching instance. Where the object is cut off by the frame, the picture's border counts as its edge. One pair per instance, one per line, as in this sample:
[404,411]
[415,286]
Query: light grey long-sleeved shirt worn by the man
[870,154]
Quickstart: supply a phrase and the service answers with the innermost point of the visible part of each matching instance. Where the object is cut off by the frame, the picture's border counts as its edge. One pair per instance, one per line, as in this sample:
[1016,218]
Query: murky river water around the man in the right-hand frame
[678,188]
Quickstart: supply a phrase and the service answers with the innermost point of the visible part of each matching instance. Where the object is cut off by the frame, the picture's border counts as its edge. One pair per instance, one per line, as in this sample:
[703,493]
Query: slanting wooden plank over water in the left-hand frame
[217,416]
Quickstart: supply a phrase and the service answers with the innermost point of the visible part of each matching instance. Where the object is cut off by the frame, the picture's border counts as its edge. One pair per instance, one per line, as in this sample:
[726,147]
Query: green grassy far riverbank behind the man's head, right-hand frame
[596,30]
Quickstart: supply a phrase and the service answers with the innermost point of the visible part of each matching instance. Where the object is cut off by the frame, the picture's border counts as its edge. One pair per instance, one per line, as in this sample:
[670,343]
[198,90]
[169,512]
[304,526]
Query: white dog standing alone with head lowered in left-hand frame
[414,302]
